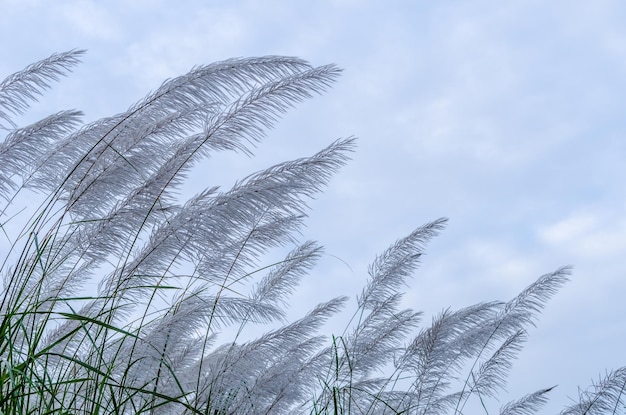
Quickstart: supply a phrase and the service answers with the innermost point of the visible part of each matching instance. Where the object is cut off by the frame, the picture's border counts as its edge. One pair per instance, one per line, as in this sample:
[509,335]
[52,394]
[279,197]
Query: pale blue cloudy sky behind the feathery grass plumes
[506,117]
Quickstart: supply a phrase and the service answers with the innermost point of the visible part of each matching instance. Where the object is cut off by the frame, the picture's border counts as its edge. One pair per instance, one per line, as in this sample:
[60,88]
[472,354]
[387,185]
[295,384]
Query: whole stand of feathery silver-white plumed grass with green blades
[169,276]
